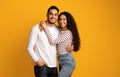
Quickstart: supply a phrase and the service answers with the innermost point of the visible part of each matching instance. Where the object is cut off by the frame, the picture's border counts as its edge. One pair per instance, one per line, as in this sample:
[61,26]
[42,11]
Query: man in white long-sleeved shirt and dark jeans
[42,53]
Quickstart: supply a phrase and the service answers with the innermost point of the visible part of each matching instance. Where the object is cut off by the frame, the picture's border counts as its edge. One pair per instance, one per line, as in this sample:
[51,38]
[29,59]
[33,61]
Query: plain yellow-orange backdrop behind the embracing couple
[99,28]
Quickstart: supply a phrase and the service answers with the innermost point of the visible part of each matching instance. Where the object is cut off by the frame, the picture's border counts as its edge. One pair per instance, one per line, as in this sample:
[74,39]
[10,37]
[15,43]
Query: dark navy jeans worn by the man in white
[44,71]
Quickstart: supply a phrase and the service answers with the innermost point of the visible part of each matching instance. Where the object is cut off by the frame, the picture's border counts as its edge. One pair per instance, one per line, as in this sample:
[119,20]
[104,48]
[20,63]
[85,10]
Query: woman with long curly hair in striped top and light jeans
[68,35]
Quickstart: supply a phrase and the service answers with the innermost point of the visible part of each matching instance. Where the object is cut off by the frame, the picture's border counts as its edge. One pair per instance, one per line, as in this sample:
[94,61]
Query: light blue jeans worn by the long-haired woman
[67,65]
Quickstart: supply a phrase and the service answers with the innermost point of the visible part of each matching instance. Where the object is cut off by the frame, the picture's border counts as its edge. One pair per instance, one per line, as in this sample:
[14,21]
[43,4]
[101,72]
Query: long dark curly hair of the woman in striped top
[71,25]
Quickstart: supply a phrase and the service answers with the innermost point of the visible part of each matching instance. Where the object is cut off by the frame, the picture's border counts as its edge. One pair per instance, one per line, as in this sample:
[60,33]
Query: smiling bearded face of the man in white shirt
[52,16]
